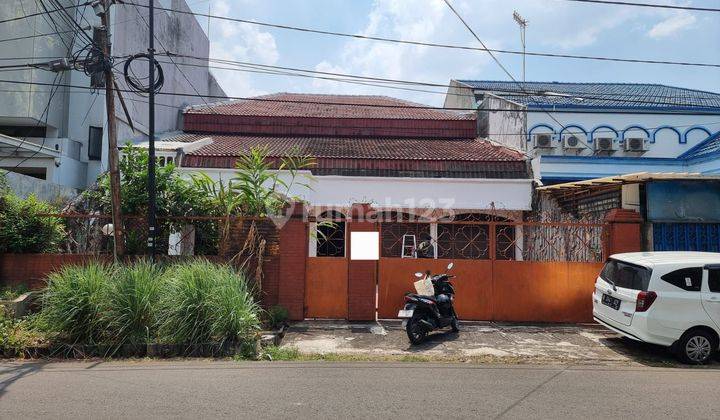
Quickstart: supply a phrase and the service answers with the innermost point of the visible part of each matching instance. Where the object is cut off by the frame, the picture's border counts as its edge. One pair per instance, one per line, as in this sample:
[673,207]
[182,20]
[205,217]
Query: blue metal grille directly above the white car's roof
[686,237]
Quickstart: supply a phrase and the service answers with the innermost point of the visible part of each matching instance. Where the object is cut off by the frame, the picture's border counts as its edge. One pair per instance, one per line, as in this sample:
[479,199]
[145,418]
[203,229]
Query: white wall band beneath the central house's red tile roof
[438,193]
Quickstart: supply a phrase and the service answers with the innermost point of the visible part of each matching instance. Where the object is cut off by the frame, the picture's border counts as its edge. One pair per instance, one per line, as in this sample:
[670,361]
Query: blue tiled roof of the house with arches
[628,96]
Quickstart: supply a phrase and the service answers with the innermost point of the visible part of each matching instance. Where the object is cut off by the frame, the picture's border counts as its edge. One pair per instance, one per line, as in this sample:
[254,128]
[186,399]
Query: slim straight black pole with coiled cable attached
[152,222]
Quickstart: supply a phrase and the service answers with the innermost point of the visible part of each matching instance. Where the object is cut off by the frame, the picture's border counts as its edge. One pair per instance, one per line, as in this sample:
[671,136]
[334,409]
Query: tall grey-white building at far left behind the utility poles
[57,135]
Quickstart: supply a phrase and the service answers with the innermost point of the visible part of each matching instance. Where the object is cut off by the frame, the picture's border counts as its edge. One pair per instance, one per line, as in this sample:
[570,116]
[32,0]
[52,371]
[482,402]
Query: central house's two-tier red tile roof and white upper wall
[397,155]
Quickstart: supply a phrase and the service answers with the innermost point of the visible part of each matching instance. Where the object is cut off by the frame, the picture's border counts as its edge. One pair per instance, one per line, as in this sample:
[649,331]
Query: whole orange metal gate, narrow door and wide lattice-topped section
[513,271]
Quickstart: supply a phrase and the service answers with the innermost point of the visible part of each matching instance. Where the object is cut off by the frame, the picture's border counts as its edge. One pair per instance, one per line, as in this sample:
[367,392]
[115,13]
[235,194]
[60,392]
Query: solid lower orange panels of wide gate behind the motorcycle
[526,291]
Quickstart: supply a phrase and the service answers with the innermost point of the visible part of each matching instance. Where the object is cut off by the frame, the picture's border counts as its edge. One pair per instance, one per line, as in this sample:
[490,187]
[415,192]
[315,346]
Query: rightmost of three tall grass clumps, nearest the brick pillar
[203,302]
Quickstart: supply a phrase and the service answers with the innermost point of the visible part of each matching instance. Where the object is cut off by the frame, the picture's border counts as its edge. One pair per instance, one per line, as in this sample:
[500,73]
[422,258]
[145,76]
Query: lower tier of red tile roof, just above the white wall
[465,150]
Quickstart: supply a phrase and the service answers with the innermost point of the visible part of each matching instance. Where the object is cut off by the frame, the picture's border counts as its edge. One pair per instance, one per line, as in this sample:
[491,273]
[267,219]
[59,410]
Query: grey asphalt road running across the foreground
[207,389]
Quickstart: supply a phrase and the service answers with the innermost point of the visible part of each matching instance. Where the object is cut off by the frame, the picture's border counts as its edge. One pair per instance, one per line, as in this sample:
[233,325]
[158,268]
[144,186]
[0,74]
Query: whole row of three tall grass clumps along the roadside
[189,303]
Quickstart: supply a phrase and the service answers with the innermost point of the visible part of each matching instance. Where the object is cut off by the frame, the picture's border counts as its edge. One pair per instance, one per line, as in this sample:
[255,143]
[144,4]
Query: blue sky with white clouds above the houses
[555,26]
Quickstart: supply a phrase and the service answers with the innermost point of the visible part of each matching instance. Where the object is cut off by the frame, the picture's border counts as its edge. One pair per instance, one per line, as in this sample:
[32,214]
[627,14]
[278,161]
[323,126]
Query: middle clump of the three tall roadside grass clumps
[131,302]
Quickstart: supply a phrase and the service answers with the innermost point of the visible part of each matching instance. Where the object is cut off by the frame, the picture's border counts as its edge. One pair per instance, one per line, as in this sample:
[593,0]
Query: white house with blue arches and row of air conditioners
[577,131]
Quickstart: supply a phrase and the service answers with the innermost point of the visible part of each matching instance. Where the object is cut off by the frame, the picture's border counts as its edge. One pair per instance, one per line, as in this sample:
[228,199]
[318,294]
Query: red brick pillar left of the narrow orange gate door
[293,255]
